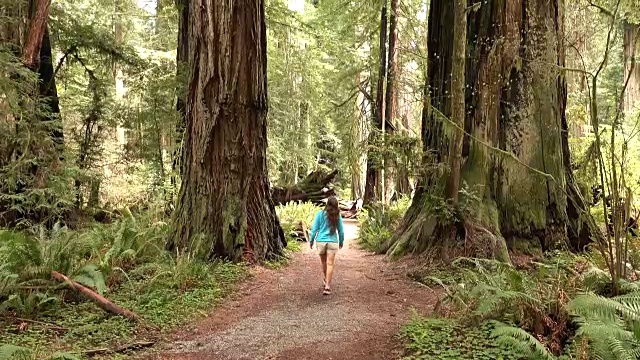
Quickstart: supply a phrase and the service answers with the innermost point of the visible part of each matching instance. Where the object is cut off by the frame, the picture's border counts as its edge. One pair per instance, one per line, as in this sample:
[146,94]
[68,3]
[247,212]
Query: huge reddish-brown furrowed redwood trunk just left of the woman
[224,202]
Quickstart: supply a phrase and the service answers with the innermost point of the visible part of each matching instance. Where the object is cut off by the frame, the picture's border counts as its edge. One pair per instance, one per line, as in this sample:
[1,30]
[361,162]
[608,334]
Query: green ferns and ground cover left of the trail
[126,263]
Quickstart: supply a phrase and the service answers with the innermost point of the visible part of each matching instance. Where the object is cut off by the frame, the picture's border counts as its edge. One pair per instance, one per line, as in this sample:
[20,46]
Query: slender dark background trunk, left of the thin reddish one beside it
[372,191]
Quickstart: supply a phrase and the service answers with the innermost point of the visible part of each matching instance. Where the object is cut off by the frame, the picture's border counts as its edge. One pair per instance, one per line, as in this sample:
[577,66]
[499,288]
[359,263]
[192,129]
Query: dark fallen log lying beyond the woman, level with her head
[314,188]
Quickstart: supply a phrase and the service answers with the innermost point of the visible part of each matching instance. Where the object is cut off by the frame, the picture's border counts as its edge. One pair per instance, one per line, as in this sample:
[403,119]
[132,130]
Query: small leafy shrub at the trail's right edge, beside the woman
[379,222]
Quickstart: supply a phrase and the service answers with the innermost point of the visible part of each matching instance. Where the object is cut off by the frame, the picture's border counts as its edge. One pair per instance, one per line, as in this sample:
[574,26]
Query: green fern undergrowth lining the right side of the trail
[554,305]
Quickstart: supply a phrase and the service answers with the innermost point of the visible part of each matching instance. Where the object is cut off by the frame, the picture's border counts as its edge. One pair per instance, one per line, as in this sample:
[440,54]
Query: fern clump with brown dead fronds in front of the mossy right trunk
[531,300]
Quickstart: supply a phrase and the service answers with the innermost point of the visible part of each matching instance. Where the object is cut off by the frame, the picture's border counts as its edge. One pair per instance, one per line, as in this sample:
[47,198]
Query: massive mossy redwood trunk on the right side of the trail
[513,153]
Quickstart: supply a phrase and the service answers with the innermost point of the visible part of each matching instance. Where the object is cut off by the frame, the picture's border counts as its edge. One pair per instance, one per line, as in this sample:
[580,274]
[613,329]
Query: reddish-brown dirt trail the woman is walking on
[282,314]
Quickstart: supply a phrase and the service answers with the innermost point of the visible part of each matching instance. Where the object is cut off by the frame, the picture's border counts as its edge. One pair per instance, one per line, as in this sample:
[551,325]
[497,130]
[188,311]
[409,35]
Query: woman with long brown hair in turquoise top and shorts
[327,231]
